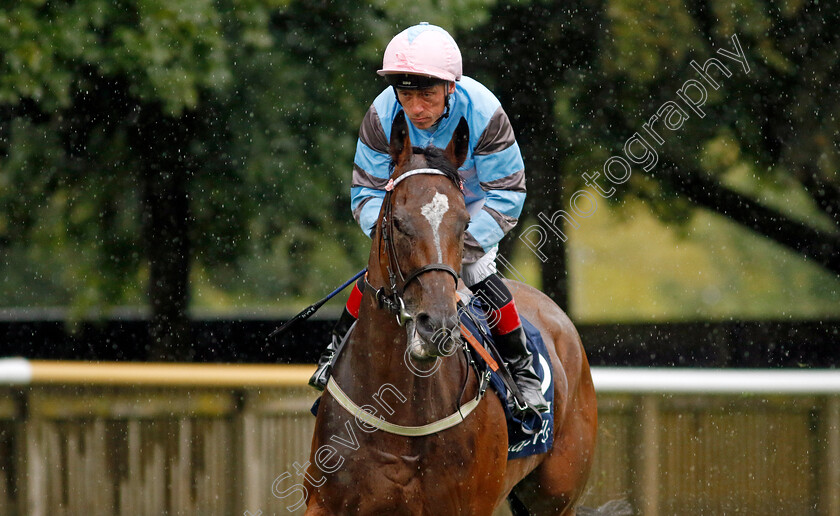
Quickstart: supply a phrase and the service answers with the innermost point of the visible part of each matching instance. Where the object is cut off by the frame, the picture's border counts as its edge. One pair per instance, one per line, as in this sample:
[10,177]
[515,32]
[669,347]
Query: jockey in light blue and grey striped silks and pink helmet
[422,65]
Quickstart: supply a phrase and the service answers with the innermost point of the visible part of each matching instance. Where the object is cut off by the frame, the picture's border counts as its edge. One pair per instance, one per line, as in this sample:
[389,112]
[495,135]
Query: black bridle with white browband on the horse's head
[392,299]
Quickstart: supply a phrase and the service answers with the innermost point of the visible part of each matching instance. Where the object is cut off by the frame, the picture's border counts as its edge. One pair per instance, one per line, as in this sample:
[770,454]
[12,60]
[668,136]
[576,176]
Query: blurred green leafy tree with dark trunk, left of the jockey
[143,140]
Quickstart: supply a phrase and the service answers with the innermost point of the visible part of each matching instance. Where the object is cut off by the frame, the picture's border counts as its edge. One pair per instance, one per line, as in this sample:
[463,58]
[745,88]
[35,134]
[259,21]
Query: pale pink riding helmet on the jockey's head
[423,50]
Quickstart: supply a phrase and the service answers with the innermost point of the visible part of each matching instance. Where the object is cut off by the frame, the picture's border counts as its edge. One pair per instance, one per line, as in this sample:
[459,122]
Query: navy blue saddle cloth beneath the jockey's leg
[520,443]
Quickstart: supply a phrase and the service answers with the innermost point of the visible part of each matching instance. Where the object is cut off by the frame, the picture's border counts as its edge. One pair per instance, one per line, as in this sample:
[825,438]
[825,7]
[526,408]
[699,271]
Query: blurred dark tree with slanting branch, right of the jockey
[581,77]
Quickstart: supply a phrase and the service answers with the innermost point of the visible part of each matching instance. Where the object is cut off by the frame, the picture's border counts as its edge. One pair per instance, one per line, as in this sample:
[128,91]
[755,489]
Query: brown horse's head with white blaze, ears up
[421,237]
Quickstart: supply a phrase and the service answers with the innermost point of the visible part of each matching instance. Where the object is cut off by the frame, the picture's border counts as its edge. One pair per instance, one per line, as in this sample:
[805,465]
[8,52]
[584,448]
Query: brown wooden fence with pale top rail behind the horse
[153,439]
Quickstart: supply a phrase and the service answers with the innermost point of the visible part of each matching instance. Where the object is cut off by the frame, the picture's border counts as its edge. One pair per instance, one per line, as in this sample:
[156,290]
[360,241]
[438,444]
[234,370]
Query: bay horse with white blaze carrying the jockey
[359,467]
